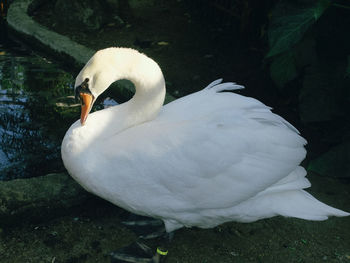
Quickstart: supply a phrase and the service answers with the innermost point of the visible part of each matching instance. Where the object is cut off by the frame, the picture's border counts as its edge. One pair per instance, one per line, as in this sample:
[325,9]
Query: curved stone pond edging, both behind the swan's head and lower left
[42,198]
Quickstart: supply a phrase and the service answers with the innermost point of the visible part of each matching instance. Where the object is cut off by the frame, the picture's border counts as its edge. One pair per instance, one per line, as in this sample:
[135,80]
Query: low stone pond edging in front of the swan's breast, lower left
[39,198]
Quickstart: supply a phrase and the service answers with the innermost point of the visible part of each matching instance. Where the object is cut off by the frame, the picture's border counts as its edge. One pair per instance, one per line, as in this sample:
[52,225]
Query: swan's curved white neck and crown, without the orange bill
[146,103]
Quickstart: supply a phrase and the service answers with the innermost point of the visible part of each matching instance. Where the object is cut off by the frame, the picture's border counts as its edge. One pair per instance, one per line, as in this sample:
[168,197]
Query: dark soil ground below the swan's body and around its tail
[92,232]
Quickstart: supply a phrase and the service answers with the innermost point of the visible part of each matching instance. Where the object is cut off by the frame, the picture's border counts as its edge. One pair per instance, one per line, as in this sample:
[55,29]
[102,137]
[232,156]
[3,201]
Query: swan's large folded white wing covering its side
[208,150]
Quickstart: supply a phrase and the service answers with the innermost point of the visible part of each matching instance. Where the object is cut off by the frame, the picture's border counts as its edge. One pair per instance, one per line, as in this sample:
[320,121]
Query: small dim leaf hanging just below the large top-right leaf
[283,69]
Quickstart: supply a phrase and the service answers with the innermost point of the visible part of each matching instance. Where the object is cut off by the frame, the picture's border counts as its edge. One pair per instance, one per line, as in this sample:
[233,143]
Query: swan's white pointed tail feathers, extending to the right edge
[286,198]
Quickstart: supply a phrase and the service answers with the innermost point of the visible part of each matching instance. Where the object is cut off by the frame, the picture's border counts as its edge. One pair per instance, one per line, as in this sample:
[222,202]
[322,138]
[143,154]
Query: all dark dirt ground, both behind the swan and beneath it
[190,59]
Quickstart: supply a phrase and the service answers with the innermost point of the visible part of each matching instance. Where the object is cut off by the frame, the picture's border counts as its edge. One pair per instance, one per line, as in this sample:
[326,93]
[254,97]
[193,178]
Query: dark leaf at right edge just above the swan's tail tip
[335,162]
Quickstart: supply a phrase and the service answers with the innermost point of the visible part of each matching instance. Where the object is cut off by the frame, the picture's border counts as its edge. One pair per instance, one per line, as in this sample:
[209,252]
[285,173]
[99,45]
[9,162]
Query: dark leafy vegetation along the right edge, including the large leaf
[308,57]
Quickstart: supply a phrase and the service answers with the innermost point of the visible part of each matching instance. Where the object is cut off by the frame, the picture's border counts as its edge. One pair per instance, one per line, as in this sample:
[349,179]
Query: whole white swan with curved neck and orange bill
[201,160]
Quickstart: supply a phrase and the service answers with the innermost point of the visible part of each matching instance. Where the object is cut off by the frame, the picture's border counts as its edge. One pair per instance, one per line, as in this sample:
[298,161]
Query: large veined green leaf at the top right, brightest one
[289,22]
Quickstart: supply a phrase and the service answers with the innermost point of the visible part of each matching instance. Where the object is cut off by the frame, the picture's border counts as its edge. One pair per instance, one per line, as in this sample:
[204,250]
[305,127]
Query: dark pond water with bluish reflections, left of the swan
[36,107]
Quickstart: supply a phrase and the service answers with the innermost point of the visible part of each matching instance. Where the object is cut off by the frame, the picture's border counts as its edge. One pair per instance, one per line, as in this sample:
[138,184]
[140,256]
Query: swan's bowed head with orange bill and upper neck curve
[112,64]
